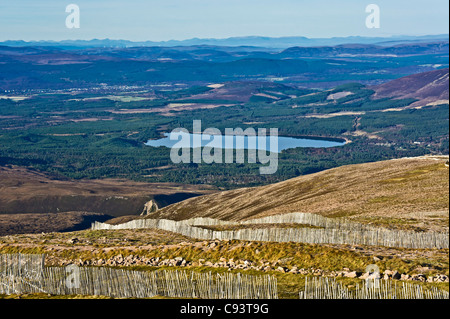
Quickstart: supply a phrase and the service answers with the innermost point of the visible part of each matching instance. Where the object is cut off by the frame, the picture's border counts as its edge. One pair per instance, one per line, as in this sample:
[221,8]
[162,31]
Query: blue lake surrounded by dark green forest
[188,140]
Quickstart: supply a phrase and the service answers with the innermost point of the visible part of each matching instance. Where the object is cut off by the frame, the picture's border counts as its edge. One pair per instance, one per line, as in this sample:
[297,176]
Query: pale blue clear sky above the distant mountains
[141,20]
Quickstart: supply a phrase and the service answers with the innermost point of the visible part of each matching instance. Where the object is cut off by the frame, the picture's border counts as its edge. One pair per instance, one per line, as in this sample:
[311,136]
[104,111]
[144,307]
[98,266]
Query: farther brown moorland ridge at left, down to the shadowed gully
[27,191]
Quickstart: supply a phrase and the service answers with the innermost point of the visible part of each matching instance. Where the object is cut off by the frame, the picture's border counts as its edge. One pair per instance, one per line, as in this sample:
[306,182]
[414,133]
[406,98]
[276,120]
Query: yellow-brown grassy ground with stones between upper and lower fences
[156,243]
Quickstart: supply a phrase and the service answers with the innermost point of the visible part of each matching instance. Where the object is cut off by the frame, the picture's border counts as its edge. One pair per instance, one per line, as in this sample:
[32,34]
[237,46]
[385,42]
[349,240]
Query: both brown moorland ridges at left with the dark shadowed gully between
[32,202]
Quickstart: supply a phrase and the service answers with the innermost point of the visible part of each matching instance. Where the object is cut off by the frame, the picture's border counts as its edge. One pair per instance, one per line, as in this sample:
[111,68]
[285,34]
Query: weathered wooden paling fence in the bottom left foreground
[122,283]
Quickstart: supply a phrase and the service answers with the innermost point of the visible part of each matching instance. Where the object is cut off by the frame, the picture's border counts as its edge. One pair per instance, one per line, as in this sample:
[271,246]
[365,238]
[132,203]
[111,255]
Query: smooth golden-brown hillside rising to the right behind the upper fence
[398,188]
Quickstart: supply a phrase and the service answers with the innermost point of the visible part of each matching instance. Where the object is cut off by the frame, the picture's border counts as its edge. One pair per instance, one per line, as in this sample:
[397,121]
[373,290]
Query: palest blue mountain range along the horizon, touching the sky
[252,41]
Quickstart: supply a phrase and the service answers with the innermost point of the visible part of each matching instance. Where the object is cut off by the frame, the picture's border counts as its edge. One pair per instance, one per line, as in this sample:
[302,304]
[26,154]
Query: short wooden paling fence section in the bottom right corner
[329,288]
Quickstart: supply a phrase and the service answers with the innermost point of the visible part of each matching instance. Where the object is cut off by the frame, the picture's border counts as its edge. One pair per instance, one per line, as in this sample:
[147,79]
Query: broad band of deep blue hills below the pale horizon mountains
[56,67]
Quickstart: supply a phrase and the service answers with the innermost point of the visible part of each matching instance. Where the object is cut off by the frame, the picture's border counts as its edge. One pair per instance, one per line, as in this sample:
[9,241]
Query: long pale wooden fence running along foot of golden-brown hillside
[332,231]
